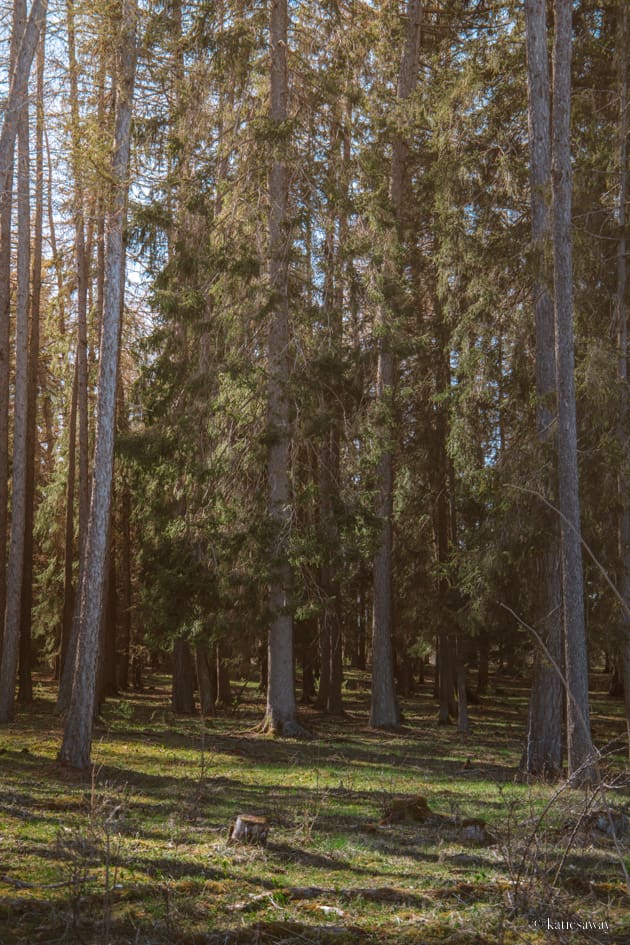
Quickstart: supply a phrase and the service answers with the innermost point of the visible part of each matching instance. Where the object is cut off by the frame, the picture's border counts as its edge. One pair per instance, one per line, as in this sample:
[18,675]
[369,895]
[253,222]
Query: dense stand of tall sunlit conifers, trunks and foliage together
[314,355]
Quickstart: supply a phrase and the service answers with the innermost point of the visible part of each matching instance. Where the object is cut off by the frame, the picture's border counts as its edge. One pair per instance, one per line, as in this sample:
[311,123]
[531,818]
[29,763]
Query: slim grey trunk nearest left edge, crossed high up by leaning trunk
[11,643]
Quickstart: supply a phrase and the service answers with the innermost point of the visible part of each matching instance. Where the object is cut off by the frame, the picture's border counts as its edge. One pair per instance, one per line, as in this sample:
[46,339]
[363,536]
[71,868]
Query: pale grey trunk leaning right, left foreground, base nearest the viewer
[77,739]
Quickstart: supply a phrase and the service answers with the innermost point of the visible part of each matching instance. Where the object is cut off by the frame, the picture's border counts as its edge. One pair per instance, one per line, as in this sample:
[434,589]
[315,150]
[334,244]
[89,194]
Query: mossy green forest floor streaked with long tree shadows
[137,852]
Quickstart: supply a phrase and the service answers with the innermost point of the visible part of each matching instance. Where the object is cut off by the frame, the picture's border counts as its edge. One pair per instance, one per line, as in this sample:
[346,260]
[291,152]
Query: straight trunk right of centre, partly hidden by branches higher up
[384,712]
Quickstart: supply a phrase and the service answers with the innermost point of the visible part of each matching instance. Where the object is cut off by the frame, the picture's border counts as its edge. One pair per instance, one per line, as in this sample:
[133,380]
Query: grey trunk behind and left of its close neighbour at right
[542,754]
